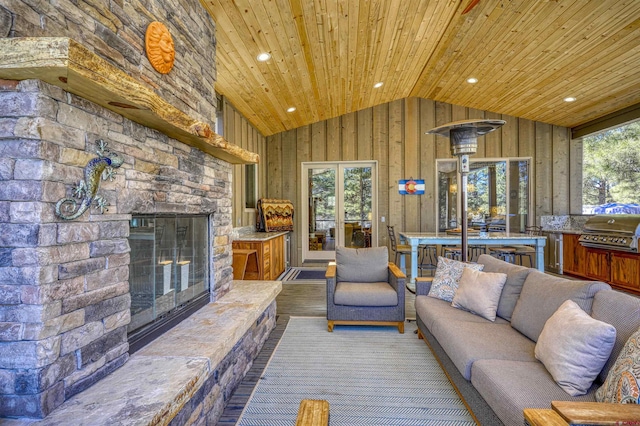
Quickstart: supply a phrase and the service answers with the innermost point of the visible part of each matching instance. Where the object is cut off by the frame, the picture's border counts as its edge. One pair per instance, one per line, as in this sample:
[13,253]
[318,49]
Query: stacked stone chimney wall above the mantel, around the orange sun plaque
[115,30]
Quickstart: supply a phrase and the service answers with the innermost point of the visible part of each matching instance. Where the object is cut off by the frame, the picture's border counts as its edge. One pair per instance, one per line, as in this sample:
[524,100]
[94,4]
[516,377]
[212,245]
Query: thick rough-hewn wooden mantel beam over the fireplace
[67,64]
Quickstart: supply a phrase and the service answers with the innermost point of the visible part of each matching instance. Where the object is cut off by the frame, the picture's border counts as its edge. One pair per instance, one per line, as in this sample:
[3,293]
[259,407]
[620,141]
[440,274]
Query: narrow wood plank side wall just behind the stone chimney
[237,130]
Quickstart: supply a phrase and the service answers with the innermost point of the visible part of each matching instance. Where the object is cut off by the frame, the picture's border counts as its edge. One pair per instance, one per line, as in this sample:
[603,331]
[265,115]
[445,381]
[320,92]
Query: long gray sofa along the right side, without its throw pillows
[493,363]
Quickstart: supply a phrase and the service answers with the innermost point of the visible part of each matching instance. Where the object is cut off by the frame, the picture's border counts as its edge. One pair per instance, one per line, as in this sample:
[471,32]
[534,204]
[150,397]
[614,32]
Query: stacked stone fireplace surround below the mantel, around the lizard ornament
[64,291]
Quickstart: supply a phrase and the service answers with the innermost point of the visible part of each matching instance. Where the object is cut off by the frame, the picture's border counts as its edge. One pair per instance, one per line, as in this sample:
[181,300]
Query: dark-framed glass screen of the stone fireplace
[168,269]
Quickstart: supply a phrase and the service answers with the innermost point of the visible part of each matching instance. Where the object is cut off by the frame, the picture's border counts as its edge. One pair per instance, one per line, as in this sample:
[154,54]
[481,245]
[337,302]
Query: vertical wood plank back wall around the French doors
[394,135]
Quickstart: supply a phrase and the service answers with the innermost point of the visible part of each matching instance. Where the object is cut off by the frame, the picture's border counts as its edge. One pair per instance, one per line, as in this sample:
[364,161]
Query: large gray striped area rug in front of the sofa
[369,376]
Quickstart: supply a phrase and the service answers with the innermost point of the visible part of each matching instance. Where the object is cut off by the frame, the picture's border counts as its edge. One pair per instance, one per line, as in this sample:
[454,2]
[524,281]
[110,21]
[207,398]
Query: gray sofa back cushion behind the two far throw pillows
[512,287]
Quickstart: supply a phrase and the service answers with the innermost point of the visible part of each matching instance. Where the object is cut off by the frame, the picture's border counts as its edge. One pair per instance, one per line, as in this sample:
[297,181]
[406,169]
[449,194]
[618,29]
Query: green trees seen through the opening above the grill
[611,166]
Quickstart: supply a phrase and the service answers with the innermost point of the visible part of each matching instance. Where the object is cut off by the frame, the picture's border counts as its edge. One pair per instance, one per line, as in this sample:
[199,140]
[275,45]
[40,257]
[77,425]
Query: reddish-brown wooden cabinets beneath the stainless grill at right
[620,269]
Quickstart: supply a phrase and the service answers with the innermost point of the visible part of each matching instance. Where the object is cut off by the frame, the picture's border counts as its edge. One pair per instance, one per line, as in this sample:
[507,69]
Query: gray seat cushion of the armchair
[365,294]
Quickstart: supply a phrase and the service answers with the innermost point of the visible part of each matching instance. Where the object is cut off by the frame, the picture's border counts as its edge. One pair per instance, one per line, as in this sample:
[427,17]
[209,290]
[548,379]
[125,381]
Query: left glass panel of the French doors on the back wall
[322,209]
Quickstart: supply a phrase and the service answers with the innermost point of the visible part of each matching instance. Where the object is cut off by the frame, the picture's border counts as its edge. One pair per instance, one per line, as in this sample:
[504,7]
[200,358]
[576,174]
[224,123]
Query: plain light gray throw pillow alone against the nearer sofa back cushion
[574,347]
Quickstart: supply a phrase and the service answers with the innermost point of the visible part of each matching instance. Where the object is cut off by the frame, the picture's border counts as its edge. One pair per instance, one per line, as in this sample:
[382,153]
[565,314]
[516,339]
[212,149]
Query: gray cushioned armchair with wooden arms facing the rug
[364,288]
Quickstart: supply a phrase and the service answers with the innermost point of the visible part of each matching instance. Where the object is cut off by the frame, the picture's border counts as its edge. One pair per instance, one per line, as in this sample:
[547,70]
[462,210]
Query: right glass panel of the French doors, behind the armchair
[357,206]
